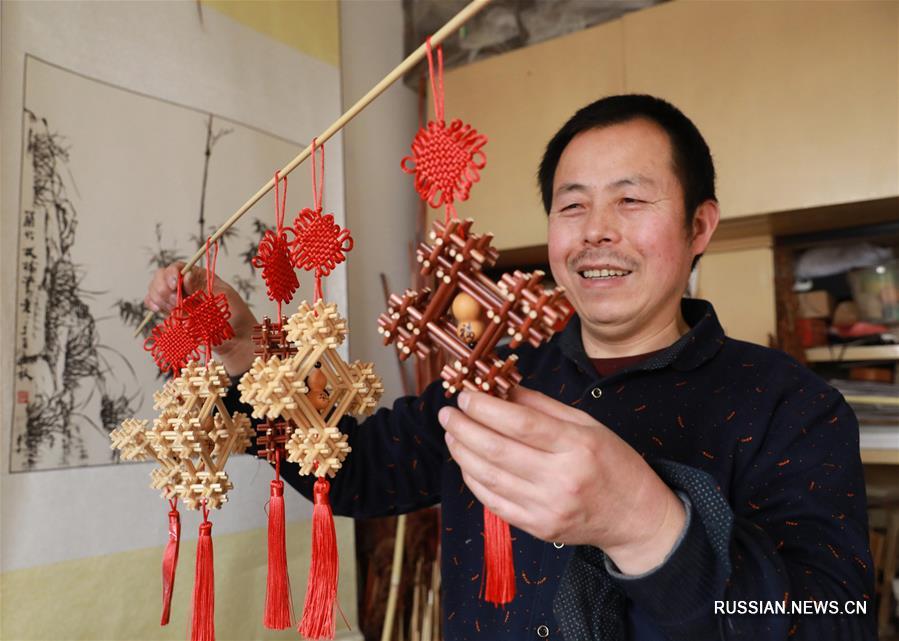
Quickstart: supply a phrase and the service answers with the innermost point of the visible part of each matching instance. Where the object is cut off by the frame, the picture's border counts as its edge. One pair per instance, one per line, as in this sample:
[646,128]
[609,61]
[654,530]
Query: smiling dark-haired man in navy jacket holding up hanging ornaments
[656,473]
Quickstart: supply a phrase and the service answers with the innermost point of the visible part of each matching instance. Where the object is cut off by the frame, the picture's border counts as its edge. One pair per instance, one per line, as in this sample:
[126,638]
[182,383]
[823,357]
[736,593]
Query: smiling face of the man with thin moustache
[618,240]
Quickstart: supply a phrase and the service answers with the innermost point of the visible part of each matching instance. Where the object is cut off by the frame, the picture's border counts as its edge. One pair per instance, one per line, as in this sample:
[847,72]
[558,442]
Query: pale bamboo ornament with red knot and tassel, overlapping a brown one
[300,388]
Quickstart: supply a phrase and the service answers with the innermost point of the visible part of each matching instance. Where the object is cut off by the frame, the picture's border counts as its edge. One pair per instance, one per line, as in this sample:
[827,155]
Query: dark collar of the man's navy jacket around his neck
[702,342]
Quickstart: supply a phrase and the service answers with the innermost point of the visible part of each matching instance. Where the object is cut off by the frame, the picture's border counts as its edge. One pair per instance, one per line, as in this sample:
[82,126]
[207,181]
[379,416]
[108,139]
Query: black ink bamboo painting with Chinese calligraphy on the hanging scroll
[114,184]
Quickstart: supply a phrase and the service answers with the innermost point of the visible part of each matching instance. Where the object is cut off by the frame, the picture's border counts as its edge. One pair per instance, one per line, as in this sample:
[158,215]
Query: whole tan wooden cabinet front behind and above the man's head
[798,101]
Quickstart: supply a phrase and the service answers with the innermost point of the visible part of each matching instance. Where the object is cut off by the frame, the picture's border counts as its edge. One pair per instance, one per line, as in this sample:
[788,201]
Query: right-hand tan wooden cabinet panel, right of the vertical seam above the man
[797,100]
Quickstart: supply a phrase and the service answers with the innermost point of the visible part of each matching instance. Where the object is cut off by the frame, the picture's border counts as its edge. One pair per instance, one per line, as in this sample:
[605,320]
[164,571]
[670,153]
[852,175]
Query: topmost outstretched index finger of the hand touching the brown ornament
[524,424]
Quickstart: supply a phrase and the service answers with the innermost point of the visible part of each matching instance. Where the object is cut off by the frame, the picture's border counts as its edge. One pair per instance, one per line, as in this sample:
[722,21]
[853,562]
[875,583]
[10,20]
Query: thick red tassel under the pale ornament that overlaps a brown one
[321,592]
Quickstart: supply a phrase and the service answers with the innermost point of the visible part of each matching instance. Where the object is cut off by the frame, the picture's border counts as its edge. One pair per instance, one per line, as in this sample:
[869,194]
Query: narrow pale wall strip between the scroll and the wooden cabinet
[381,201]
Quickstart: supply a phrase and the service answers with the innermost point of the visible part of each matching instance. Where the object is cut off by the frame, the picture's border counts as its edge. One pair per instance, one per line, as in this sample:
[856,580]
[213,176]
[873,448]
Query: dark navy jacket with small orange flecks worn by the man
[763,452]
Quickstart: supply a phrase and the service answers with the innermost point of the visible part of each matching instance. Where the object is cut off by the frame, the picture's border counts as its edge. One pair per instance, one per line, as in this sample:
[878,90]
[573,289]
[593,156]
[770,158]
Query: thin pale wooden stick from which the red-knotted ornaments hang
[411,60]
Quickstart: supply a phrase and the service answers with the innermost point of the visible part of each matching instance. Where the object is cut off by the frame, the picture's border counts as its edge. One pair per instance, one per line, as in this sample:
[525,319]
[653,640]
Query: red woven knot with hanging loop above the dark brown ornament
[446,160]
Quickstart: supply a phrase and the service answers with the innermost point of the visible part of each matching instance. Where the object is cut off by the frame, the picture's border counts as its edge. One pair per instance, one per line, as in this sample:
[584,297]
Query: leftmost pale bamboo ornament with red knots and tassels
[191,441]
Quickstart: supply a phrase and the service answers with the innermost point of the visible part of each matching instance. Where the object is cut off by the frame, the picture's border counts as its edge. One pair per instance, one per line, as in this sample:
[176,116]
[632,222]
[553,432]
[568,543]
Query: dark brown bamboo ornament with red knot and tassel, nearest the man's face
[467,314]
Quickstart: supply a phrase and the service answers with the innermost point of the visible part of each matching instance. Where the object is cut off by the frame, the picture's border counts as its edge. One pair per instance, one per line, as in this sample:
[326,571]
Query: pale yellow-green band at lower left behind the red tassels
[117,596]
